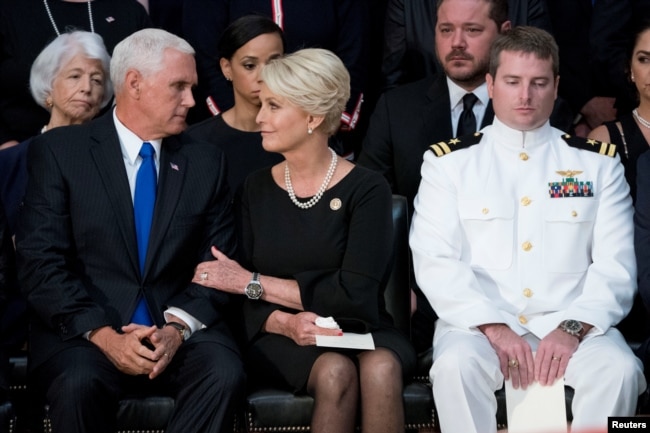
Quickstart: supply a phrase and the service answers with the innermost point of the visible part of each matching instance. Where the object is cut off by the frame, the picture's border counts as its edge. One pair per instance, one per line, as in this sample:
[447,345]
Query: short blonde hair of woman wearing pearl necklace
[314,80]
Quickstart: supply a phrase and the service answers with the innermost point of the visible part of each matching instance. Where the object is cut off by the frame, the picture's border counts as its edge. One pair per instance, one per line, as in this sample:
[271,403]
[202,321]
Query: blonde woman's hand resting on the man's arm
[222,274]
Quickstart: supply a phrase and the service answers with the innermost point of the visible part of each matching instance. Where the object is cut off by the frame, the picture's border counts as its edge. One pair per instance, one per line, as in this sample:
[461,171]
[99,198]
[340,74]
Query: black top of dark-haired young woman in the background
[244,151]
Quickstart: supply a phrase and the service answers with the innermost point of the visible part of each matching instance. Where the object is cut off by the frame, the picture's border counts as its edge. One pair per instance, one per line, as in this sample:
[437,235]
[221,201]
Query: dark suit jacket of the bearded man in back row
[406,121]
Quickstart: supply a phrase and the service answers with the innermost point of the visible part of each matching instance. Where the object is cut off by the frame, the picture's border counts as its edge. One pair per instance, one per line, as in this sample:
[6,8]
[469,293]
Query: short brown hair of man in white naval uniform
[525,39]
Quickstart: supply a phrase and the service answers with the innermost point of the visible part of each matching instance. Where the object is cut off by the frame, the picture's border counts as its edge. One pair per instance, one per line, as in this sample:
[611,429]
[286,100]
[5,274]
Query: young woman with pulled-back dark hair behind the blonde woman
[246,45]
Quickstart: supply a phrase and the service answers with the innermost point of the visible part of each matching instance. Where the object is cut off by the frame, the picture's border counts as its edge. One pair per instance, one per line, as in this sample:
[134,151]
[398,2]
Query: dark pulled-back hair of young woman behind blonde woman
[242,30]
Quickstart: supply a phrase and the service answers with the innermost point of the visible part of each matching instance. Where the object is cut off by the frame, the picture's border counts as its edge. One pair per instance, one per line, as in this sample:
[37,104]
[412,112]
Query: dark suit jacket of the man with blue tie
[76,242]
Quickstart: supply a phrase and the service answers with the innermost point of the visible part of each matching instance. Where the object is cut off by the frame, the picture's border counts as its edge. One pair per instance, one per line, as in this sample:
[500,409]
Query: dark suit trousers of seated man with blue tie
[83,388]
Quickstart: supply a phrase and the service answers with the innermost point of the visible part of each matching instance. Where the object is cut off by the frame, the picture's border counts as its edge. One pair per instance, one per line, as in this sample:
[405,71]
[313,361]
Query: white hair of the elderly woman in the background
[60,51]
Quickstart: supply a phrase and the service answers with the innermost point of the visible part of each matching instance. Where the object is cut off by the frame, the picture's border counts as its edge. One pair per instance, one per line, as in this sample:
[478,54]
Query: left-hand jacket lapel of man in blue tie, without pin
[107,155]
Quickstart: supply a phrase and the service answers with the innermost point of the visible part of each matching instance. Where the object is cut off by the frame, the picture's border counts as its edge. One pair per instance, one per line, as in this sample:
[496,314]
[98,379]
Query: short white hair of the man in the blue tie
[144,51]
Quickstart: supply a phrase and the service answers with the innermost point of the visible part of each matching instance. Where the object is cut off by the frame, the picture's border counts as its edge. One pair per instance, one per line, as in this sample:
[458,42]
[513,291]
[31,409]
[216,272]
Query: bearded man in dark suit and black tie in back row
[408,119]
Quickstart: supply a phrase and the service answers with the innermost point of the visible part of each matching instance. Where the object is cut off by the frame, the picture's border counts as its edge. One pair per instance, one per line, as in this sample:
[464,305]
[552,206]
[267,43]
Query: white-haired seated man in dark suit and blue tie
[87,264]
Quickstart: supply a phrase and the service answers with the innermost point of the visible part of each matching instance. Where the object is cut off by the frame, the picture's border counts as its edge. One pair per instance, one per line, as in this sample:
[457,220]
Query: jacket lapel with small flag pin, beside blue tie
[173,166]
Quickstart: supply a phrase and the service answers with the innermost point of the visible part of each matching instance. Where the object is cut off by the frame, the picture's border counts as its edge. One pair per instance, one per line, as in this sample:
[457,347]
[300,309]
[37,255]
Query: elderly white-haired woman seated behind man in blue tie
[70,79]
